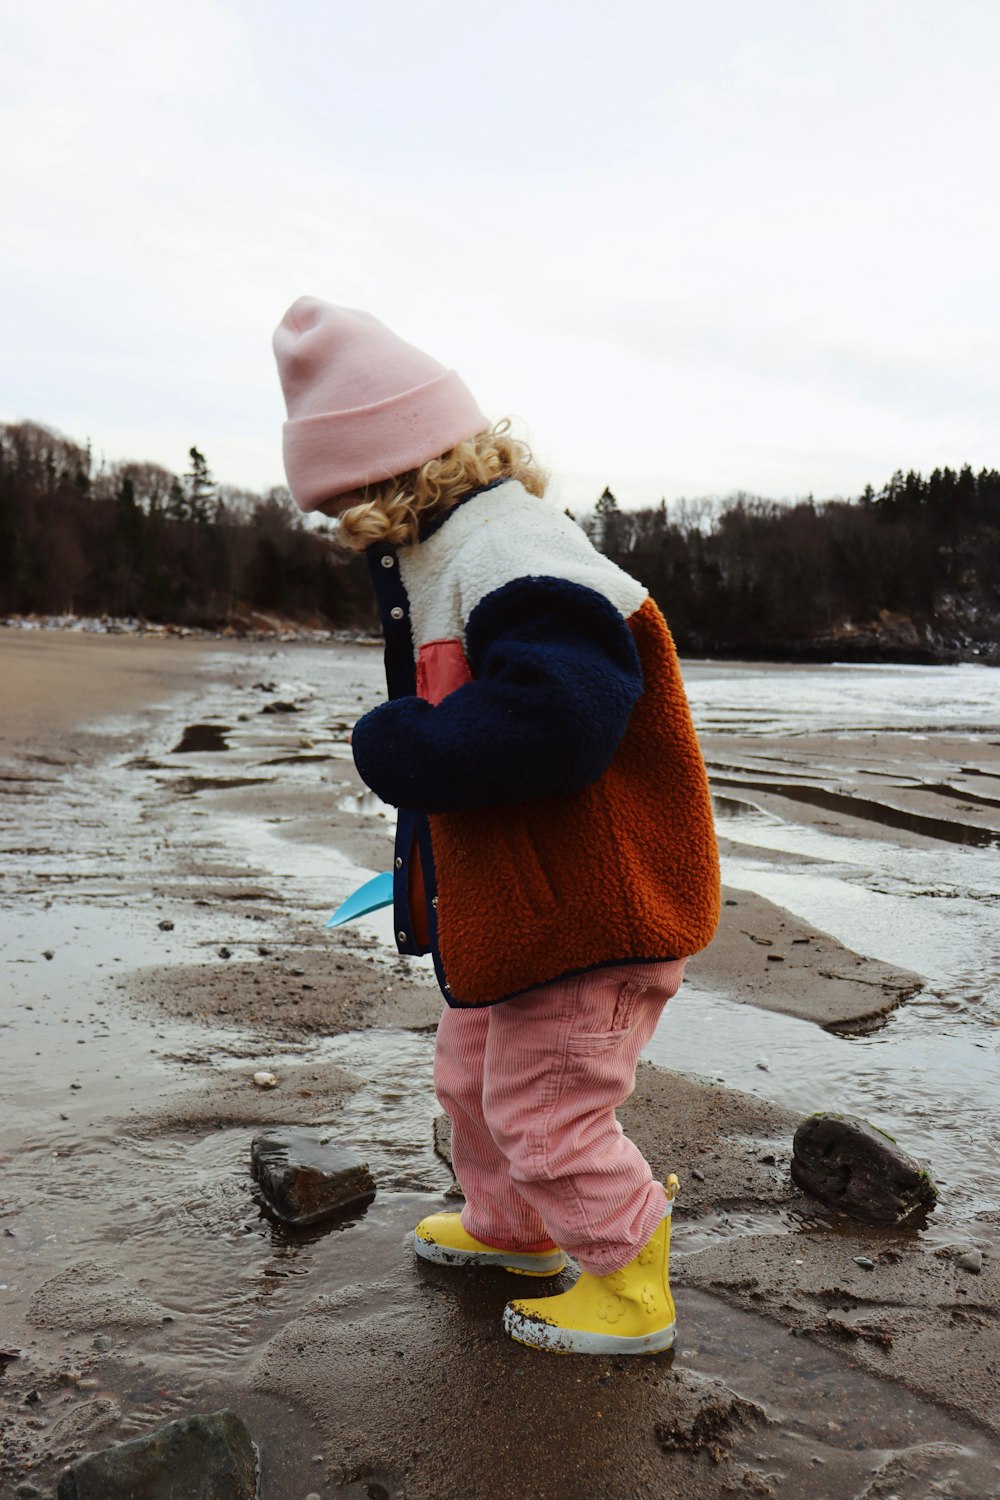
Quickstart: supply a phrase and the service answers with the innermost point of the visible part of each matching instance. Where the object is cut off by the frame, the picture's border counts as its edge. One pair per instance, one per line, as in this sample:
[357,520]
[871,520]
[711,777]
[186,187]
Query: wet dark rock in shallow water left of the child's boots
[307,1181]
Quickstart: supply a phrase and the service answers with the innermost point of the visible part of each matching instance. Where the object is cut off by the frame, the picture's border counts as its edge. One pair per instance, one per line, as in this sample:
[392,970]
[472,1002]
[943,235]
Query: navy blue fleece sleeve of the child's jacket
[555,680]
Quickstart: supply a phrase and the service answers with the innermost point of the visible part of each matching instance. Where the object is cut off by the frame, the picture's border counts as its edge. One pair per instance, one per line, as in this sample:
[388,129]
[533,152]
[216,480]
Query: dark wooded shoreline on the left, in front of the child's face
[137,541]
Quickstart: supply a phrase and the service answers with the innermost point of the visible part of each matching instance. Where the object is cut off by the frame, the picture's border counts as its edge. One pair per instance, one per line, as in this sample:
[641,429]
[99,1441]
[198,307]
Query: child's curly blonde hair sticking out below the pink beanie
[394,509]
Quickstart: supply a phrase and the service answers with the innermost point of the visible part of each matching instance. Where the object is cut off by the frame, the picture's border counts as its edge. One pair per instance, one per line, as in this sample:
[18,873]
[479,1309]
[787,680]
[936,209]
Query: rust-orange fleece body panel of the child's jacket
[624,869]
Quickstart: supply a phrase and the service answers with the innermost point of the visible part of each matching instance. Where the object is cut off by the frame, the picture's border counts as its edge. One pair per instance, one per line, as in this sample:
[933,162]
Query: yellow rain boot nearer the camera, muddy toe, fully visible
[627,1313]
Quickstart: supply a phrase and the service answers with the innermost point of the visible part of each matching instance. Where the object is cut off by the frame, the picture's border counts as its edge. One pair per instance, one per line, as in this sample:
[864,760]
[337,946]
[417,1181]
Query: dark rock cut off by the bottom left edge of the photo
[196,1459]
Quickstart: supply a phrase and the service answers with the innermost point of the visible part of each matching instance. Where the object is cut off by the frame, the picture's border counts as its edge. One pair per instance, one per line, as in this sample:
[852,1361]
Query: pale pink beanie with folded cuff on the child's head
[362,404]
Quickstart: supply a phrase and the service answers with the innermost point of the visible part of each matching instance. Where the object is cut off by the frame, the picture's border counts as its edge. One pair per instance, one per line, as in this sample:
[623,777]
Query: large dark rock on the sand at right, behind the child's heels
[860,1171]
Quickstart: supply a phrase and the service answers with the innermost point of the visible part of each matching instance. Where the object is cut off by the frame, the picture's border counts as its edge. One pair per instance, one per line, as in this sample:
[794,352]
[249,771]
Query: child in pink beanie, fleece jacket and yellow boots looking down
[555,850]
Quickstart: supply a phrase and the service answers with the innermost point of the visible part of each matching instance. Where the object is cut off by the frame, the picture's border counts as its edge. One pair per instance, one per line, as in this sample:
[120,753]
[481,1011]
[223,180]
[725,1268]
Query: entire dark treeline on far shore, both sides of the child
[909,572]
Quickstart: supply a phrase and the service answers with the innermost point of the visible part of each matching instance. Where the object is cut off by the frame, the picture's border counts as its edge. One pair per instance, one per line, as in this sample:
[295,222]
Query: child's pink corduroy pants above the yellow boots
[531,1088]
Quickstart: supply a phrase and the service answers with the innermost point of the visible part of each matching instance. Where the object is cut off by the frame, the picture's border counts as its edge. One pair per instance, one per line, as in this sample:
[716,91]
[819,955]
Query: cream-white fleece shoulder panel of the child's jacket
[501,536]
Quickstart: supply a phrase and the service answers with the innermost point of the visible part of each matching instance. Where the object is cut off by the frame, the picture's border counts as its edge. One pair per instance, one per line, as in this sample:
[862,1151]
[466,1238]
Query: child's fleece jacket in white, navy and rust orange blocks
[554,808]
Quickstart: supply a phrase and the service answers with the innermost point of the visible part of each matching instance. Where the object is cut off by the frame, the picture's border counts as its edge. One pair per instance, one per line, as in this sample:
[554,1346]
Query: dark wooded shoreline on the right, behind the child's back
[911,572]
